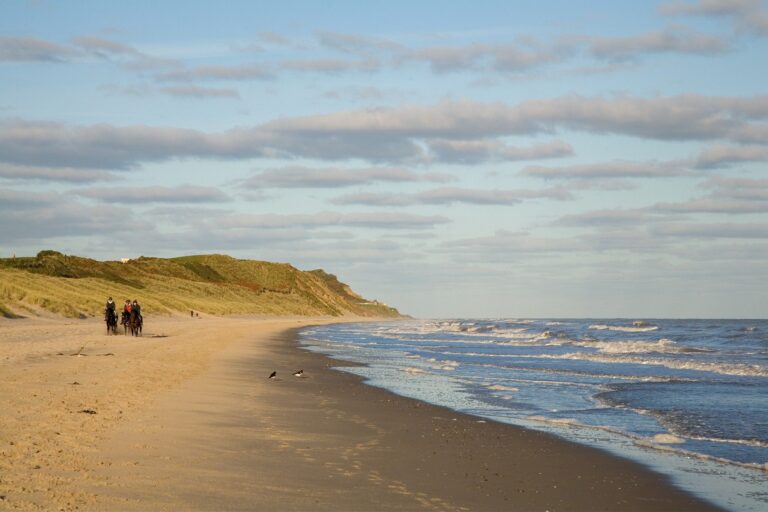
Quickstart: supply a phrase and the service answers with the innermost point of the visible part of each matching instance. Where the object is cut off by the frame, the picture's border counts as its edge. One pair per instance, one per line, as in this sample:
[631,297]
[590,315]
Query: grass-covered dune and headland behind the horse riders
[214,284]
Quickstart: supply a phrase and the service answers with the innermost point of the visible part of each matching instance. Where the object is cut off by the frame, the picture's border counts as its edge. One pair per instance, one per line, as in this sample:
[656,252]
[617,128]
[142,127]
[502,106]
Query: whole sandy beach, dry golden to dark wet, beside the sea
[185,418]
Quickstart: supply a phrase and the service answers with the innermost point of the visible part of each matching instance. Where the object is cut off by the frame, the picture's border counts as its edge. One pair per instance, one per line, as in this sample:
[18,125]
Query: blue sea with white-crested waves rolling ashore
[687,398]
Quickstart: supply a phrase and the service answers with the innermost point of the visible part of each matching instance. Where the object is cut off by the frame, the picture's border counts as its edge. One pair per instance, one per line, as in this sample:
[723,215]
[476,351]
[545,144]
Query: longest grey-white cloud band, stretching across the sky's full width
[393,135]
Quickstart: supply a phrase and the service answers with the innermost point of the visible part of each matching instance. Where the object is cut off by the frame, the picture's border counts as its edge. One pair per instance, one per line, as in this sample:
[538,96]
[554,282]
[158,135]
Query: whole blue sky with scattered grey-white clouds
[452,159]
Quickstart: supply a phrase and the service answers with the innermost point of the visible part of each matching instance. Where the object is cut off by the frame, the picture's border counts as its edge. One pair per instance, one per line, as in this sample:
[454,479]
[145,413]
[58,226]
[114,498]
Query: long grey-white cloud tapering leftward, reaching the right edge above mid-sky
[682,117]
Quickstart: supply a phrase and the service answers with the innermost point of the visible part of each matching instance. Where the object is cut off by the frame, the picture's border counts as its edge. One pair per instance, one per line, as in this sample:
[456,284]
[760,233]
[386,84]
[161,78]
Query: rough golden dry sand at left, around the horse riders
[57,408]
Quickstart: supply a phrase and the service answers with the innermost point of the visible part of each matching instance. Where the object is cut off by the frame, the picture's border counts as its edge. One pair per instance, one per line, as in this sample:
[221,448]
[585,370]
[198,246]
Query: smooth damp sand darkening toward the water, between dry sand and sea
[328,441]
